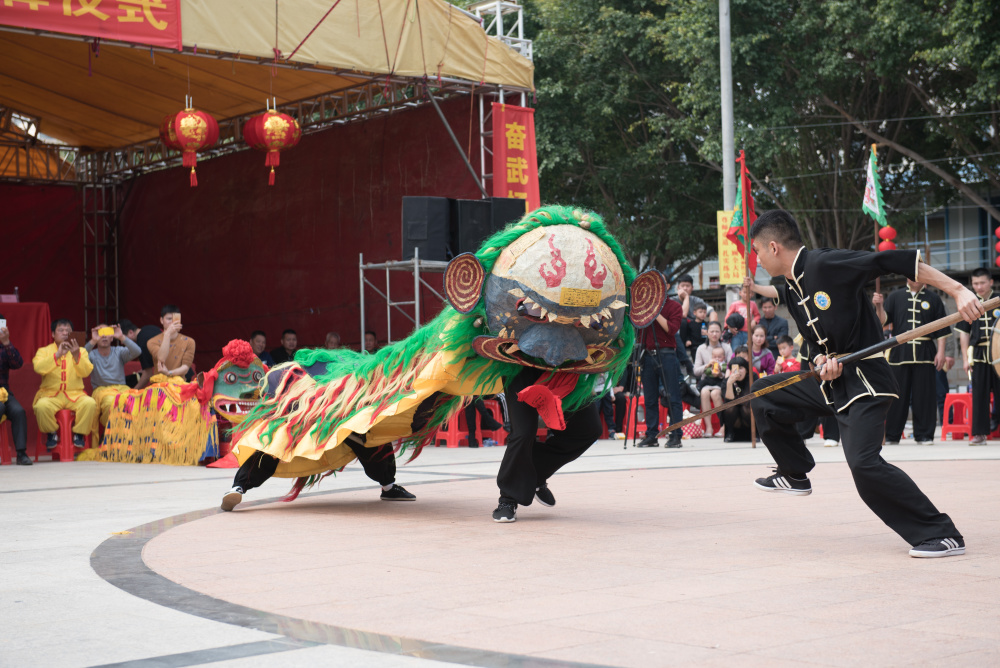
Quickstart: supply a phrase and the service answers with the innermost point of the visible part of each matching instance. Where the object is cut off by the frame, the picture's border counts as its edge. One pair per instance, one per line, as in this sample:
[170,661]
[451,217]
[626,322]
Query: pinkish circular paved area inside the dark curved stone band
[642,567]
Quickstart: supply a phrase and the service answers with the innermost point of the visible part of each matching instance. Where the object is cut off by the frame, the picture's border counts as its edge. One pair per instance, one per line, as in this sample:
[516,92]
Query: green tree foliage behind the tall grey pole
[629,120]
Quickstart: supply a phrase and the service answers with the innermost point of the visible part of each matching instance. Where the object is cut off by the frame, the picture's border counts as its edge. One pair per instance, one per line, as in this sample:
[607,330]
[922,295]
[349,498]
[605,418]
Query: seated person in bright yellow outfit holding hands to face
[63,365]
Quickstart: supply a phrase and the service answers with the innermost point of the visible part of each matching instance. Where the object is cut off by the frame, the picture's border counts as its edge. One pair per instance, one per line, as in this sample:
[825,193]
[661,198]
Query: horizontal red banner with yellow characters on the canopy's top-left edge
[154,22]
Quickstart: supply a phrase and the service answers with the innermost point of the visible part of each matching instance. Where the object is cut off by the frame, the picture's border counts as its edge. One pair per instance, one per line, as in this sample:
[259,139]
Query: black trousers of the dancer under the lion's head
[528,462]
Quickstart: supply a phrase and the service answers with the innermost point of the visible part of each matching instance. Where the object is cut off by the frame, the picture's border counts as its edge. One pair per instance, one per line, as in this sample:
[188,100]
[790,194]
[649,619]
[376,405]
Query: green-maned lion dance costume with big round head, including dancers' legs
[543,308]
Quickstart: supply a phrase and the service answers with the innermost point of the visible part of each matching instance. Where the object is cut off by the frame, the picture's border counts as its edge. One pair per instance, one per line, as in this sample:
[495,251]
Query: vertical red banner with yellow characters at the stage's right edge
[515,164]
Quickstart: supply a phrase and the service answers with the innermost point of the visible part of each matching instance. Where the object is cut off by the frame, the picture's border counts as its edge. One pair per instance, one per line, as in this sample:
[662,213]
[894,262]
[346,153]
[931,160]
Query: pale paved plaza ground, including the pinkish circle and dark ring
[649,558]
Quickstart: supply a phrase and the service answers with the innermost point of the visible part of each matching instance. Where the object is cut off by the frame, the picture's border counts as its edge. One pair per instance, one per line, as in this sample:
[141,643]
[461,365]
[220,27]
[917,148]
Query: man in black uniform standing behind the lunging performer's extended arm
[914,363]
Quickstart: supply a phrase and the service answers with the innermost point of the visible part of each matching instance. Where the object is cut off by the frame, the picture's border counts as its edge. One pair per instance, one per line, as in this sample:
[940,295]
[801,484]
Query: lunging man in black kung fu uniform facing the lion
[825,293]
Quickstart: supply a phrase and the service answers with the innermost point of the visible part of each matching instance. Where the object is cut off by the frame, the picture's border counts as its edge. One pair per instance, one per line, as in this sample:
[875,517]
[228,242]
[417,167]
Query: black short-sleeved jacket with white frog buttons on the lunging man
[826,297]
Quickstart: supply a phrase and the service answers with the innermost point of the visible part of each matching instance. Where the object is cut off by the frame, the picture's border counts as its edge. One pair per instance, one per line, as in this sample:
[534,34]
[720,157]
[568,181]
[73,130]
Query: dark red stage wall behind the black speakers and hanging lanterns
[236,255]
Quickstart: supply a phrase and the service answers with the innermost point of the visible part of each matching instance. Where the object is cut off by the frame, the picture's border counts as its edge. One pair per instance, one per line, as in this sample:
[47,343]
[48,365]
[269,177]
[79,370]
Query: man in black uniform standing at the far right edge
[984,378]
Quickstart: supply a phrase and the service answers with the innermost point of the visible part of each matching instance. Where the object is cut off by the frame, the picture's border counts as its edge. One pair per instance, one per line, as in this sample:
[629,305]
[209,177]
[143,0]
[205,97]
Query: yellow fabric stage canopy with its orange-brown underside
[111,94]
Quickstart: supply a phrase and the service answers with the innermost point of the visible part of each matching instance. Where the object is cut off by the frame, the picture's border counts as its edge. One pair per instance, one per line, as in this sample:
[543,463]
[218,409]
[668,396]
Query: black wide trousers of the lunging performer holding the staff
[884,488]
